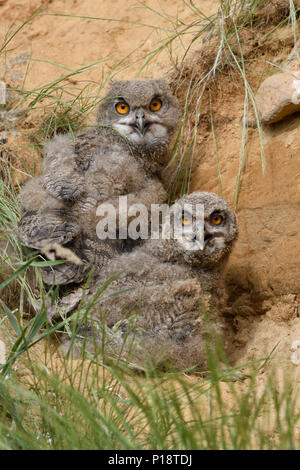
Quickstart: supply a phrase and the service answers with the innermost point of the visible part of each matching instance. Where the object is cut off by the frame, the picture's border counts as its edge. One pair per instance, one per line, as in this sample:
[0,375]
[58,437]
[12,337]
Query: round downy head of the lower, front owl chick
[206,226]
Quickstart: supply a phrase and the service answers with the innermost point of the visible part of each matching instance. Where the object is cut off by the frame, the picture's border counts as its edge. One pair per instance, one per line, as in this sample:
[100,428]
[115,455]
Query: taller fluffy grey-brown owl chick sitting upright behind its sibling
[123,154]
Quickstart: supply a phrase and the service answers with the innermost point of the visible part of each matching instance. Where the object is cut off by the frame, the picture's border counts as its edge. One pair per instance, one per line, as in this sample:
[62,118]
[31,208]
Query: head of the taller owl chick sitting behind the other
[144,112]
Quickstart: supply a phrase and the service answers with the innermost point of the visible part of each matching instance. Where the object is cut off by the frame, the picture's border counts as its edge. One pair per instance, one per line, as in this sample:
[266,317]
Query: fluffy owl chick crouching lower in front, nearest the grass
[176,291]
